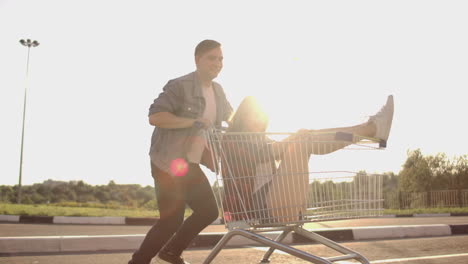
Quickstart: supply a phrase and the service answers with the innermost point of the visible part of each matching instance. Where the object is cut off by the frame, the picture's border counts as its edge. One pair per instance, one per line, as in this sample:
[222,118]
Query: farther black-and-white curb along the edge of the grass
[109,220]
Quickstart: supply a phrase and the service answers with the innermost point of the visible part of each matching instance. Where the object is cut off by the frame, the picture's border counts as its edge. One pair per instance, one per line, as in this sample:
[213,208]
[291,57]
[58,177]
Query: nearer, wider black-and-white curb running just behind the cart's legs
[66,244]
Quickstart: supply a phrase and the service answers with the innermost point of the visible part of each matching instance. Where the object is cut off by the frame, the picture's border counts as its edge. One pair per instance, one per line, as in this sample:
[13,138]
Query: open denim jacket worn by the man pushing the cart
[183,97]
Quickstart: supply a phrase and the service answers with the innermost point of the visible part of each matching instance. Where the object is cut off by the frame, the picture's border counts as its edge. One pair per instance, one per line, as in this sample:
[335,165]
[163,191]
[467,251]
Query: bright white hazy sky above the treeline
[312,64]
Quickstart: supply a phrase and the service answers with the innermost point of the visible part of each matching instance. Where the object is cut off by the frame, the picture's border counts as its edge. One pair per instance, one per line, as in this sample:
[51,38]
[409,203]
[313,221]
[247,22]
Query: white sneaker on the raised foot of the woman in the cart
[383,121]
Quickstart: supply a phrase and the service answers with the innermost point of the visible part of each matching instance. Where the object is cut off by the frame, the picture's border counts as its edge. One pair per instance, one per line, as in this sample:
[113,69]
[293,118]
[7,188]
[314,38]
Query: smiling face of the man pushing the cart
[210,63]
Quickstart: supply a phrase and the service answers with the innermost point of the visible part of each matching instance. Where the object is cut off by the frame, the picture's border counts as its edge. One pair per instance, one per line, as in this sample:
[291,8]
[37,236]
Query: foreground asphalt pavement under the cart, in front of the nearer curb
[433,250]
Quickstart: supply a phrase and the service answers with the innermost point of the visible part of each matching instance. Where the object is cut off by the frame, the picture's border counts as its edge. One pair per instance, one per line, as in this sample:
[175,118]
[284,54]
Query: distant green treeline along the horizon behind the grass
[419,174]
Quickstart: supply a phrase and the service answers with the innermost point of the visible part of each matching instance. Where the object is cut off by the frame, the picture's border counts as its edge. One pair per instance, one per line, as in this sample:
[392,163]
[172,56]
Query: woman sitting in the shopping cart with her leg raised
[258,172]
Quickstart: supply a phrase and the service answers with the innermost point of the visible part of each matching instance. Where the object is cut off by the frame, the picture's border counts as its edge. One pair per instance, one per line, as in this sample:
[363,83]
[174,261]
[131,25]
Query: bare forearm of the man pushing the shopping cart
[171,121]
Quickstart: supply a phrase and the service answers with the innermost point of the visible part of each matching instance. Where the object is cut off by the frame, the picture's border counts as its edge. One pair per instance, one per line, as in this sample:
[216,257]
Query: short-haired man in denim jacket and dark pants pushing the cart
[186,106]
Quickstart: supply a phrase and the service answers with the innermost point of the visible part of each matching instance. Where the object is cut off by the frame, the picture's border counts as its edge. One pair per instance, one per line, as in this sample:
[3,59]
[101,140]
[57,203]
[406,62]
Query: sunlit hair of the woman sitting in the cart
[249,106]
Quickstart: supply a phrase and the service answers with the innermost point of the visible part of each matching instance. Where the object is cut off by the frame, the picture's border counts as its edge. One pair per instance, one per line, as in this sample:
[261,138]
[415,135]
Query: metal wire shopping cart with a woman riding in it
[264,184]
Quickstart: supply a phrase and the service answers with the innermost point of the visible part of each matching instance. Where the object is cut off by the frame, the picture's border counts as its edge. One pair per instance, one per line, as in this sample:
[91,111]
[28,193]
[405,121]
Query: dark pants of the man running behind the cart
[171,231]
